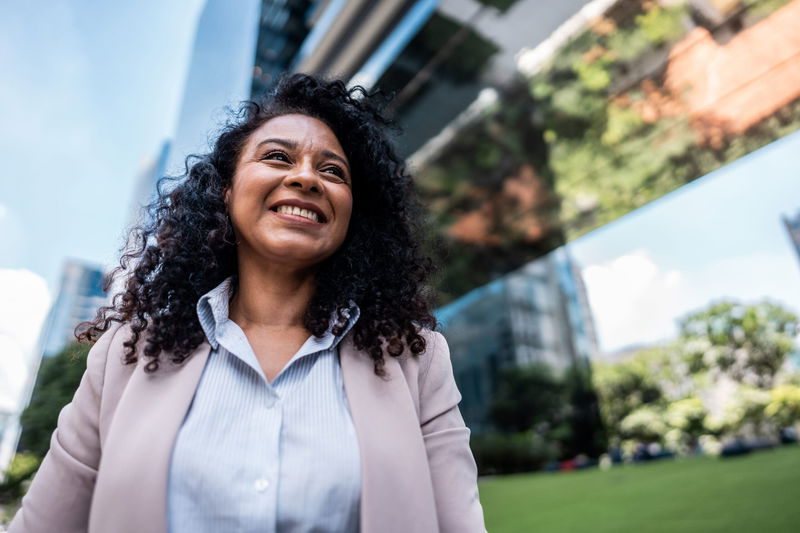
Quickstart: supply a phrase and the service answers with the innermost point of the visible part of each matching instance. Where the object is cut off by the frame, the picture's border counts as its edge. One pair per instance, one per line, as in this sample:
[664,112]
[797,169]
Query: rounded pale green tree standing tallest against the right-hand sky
[749,343]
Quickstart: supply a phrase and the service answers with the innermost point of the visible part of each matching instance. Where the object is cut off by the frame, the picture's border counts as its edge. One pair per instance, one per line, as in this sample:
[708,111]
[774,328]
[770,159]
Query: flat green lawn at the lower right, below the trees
[759,493]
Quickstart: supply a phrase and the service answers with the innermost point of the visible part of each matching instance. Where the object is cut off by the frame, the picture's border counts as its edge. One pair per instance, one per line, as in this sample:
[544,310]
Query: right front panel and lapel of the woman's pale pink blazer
[396,491]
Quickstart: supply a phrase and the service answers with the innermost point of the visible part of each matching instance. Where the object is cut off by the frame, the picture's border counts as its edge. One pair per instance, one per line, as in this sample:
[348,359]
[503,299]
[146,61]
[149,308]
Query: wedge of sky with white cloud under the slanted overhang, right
[719,237]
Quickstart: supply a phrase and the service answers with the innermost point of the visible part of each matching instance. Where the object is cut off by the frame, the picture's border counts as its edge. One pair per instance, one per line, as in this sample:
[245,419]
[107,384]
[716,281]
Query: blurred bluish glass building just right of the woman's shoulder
[538,314]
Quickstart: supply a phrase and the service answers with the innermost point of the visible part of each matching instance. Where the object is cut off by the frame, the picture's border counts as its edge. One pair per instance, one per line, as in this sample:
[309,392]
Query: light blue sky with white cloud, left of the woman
[89,92]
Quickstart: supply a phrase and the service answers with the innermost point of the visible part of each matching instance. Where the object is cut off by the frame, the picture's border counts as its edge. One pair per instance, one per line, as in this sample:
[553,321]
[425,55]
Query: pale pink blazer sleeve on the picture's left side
[60,494]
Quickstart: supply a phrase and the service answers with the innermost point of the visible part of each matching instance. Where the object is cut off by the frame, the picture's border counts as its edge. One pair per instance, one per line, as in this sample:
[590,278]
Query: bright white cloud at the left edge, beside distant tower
[24,302]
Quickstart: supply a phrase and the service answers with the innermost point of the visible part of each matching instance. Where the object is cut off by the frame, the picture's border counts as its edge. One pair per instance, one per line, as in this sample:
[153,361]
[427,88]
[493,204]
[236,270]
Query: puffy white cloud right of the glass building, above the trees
[633,300]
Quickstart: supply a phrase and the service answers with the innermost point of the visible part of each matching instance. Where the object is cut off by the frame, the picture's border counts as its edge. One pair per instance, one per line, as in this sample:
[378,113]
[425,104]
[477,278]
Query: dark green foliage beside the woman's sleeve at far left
[56,383]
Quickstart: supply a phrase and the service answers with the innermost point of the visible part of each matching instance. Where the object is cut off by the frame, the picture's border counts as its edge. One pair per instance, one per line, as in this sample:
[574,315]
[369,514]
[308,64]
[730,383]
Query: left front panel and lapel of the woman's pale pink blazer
[139,446]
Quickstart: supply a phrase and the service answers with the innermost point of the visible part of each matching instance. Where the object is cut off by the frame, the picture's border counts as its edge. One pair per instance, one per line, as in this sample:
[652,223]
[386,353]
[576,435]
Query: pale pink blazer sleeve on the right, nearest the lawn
[453,470]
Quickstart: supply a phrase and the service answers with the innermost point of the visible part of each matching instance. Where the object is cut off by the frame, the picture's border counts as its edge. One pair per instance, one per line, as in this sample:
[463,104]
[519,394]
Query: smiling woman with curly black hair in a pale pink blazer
[271,364]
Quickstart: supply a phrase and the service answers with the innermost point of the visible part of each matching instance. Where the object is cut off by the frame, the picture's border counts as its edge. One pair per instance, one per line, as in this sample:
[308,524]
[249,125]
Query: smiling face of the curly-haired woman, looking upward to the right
[291,197]
